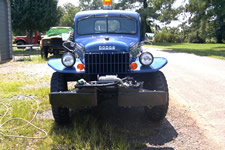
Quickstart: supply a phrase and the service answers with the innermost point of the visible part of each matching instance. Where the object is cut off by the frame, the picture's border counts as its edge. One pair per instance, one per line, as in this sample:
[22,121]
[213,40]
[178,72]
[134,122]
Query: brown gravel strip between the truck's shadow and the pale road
[190,135]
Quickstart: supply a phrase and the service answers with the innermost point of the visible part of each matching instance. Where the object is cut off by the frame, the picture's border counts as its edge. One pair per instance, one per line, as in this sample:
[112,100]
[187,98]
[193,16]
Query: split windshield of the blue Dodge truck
[114,25]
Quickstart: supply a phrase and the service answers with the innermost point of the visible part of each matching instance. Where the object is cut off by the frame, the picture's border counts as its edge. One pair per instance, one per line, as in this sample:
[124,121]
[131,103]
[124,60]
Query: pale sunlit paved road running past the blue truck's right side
[199,83]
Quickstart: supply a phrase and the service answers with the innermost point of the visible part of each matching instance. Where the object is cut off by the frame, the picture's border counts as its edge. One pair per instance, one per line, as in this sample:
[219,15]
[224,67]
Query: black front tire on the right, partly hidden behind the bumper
[157,81]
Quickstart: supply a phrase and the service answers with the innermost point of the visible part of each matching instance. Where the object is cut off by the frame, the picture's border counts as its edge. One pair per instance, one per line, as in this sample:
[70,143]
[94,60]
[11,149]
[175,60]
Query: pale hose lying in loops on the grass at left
[27,123]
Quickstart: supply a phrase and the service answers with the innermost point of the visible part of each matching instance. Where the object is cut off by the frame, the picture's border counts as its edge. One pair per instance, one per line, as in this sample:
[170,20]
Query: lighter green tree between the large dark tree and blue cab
[69,11]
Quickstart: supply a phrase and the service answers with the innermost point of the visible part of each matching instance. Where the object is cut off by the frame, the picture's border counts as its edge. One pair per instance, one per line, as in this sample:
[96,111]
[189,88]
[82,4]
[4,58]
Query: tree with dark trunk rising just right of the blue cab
[151,10]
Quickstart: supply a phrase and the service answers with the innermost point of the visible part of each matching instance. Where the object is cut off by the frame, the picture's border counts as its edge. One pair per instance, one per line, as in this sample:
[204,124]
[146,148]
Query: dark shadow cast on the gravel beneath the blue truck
[134,123]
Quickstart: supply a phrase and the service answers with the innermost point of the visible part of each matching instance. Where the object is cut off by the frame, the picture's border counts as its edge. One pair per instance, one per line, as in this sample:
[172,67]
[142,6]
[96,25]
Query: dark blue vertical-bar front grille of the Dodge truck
[113,63]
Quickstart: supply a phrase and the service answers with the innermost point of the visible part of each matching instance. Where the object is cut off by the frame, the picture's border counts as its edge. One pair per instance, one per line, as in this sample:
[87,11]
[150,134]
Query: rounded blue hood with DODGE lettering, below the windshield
[109,43]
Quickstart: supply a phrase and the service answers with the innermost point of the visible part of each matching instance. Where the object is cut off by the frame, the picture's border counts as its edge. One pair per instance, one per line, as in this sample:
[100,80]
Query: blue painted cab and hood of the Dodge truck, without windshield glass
[92,42]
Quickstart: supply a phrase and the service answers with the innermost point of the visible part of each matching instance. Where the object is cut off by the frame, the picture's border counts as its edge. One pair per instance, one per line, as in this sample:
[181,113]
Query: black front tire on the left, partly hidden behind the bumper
[60,114]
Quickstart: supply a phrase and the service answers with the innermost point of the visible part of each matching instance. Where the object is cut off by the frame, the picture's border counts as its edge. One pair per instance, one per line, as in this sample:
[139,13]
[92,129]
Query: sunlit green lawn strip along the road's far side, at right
[211,50]
